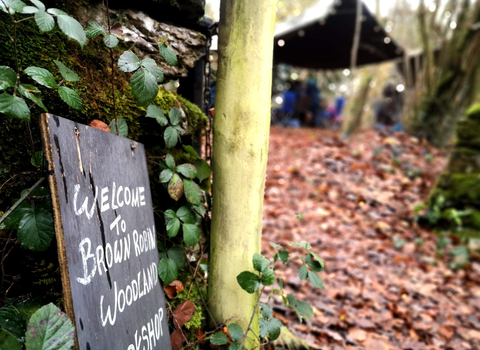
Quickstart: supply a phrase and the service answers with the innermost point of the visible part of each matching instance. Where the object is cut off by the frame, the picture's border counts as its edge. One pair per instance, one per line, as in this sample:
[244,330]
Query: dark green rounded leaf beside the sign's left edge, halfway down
[35,230]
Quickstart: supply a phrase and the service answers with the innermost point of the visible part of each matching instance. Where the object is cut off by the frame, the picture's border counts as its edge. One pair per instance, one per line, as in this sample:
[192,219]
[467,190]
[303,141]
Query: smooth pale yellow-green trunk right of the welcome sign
[240,150]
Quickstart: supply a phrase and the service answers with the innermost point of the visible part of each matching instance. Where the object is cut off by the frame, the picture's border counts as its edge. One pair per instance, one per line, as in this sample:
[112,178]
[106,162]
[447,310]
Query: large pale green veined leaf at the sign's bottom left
[49,328]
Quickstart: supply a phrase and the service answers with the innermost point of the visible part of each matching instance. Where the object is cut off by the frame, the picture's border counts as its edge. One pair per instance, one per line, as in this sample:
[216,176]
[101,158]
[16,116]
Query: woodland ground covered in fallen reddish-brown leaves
[385,285]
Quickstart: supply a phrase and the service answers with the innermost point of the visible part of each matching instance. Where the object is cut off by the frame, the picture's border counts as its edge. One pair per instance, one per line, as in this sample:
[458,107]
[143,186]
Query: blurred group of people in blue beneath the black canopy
[303,105]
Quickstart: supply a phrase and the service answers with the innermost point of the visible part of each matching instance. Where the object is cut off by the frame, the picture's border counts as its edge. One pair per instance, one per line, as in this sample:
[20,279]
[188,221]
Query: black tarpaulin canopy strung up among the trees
[322,37]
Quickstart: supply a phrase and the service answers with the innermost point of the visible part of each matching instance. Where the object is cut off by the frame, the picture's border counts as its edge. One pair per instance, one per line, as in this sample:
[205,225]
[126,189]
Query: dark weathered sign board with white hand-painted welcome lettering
[106,237]
